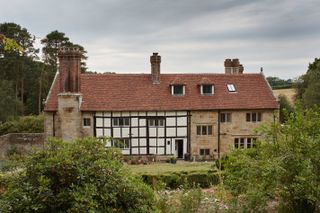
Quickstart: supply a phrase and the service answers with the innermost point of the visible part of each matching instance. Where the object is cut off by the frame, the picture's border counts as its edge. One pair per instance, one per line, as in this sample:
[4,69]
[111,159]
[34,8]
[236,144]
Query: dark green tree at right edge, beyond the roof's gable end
[308,85]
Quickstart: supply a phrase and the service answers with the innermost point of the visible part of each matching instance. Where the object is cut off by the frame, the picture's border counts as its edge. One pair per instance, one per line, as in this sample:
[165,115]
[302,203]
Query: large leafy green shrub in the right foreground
[284,167]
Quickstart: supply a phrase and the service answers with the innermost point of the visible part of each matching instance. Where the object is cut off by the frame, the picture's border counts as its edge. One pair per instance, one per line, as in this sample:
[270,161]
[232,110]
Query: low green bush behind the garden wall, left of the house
[26,124]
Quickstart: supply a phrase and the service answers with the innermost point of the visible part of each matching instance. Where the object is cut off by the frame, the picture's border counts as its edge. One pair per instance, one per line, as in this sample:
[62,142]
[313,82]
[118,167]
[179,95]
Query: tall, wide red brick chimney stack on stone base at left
[69,69]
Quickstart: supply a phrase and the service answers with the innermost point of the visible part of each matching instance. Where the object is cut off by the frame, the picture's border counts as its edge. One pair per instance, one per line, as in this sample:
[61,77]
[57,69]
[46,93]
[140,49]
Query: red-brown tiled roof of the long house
[136,92]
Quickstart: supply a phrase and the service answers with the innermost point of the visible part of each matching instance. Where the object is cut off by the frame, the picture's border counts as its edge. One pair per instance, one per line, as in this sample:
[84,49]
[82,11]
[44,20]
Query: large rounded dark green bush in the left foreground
[82,176]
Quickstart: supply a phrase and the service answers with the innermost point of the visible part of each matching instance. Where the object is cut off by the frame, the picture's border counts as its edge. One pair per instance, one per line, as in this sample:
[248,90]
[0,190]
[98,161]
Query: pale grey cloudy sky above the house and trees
[192,36]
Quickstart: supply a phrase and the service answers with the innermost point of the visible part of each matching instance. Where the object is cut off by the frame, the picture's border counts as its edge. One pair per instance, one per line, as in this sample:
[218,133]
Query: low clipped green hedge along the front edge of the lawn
[173,180]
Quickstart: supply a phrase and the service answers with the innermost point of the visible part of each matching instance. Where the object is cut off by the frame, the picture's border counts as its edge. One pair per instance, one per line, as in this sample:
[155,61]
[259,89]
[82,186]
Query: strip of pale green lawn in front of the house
[161,168]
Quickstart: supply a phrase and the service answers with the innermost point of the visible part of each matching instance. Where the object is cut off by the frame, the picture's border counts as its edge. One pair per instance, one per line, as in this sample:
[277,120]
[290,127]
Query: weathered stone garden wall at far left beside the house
[20,142]
